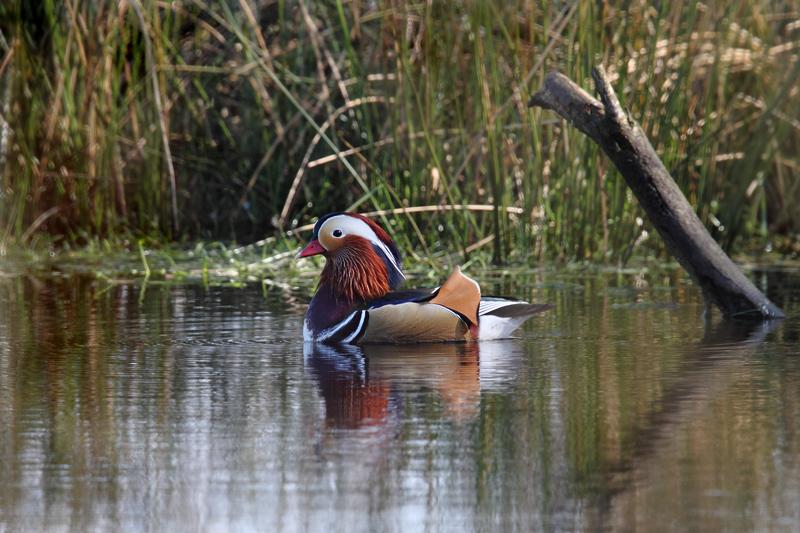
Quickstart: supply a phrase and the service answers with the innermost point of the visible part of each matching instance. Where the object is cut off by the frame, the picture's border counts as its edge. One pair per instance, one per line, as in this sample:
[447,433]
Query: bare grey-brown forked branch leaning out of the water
[620,137]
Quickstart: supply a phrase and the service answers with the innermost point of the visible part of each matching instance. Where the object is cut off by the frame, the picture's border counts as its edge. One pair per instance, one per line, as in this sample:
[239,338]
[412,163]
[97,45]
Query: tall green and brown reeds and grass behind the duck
[274,112]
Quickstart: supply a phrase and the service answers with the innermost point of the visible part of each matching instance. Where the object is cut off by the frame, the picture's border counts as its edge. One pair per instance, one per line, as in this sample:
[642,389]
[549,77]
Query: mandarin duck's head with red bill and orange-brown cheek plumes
[362,262]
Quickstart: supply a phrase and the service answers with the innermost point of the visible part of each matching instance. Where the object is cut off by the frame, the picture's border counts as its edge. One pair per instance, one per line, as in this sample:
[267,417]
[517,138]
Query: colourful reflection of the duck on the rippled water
[362,386]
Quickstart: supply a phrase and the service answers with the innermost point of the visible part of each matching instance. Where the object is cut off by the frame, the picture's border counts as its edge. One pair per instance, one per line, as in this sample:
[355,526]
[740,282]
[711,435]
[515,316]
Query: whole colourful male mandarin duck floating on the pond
[357,300]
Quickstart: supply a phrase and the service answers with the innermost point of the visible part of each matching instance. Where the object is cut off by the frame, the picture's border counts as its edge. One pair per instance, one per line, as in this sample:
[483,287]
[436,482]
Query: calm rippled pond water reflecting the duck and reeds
[167,408]
